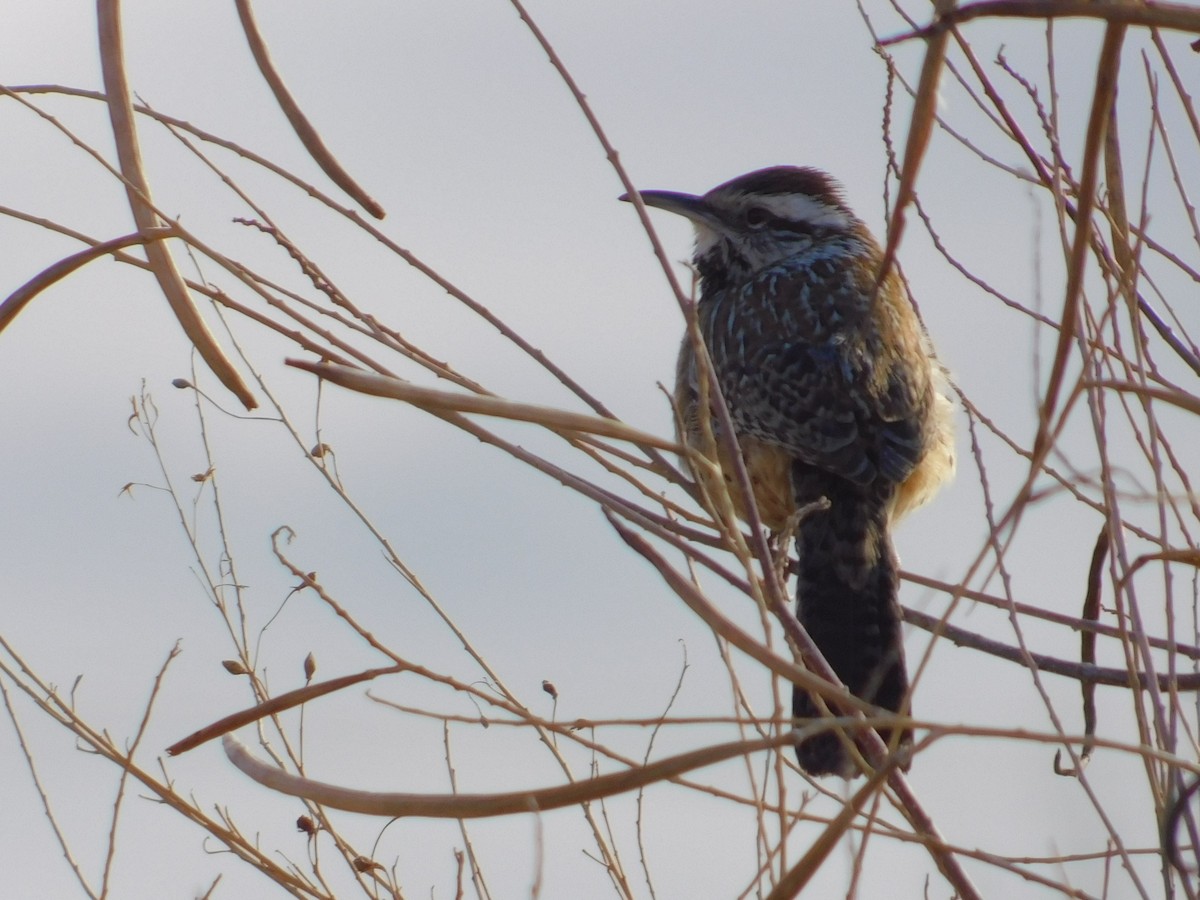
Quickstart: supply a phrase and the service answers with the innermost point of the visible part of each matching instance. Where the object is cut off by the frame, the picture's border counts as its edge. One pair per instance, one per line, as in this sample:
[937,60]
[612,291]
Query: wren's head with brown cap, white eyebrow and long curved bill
[759,219]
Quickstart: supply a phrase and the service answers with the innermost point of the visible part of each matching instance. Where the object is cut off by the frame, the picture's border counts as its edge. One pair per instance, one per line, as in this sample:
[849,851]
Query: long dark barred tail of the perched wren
[847,599]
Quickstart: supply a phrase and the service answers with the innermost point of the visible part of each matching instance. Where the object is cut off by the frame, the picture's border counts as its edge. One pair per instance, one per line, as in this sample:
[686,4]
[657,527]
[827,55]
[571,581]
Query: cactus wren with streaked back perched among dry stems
[833,392]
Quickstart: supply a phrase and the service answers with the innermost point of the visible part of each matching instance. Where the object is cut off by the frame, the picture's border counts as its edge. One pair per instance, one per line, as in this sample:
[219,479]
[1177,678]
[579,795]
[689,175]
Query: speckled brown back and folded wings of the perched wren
[817,376]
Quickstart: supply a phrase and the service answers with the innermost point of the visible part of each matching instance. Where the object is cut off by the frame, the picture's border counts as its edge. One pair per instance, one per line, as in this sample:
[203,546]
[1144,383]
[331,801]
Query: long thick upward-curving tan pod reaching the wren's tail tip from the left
[461,806]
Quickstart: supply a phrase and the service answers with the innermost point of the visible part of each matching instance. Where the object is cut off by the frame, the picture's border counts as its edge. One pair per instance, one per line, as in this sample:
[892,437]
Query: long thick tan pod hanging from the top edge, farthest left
[121,109]
